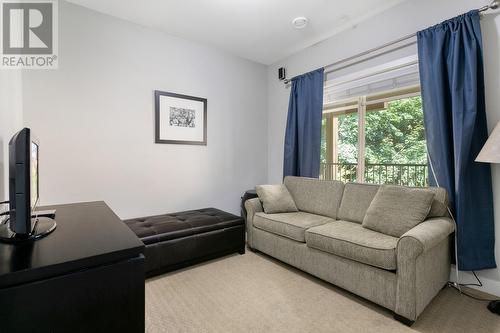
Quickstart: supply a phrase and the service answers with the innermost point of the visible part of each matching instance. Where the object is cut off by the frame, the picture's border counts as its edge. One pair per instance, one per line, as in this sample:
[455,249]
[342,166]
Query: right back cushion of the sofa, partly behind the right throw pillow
[356,199]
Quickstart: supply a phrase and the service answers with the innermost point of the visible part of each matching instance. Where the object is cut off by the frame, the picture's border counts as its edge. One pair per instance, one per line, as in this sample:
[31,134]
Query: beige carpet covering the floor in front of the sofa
[255,293]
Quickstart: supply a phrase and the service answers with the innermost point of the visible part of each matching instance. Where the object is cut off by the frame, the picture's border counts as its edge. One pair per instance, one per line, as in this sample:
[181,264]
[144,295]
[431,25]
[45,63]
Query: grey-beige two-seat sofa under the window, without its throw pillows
[326,239]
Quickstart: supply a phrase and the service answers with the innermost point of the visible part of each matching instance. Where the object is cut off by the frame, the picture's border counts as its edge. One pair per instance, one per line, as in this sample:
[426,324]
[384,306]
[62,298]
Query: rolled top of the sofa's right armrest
[424,237]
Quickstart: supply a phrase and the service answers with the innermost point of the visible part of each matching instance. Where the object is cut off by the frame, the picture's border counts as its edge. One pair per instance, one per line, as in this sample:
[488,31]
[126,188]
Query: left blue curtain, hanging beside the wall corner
[303,126]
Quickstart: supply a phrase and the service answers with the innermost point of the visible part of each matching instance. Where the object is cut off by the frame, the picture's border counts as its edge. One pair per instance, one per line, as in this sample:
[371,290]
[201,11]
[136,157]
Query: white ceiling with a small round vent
[259,30]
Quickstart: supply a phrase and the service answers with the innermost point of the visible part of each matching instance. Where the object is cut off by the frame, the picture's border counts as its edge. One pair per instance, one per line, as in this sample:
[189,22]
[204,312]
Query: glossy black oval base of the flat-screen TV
[42,226]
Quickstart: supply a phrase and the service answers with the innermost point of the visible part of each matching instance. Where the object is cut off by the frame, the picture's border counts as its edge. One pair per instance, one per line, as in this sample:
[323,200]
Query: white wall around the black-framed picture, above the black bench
[94,117]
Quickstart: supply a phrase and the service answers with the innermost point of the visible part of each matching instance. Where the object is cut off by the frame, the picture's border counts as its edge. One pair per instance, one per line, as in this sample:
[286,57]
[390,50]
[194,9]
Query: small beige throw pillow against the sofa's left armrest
[275,199]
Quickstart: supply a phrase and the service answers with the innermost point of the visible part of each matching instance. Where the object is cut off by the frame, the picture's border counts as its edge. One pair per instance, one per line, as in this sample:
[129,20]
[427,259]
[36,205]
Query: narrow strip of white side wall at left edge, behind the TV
[11,121]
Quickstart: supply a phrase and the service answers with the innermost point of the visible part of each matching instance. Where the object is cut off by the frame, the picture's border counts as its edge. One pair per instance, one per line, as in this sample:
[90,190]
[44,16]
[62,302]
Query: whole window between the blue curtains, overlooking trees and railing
[376,138]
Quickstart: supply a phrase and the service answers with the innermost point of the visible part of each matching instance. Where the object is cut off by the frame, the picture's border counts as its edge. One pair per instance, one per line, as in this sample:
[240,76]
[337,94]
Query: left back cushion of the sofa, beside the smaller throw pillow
[315,196]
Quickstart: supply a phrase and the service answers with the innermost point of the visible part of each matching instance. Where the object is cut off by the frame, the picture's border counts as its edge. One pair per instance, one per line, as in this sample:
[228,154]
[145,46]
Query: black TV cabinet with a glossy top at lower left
[87,276]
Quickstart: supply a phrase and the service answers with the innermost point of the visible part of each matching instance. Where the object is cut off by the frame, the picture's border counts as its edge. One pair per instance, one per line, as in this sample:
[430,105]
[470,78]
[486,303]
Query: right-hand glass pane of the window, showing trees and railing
[395,148]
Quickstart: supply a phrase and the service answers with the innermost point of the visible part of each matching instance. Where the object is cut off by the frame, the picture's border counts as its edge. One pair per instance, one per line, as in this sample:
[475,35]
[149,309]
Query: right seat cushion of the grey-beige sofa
[350,240]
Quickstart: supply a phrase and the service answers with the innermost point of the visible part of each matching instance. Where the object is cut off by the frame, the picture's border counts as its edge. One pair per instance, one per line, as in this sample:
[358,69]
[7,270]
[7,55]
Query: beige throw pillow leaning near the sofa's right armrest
[397,209]
